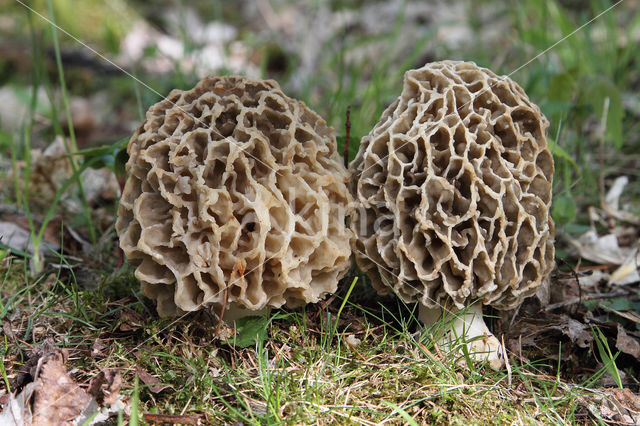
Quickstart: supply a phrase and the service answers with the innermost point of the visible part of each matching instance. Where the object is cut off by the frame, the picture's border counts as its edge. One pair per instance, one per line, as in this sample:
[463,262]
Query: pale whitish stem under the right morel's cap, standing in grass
[466,327]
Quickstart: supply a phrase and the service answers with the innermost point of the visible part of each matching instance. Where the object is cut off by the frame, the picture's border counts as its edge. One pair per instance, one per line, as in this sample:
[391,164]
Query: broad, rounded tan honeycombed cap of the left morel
[235,197]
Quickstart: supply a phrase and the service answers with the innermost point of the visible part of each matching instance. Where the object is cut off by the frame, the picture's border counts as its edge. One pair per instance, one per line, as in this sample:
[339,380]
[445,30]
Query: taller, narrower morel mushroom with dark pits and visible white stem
[452,191]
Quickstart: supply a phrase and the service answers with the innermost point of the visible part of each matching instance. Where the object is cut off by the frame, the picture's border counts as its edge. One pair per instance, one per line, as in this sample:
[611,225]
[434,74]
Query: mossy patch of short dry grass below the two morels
[300,371]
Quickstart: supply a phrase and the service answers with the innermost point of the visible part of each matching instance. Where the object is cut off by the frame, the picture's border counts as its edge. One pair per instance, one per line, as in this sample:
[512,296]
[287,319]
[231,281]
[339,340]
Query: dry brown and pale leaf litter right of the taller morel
[602,293]
